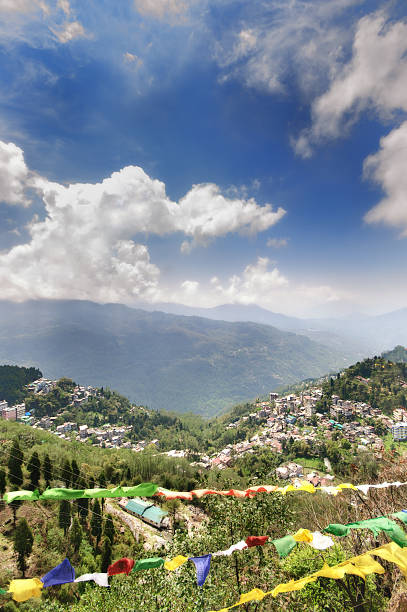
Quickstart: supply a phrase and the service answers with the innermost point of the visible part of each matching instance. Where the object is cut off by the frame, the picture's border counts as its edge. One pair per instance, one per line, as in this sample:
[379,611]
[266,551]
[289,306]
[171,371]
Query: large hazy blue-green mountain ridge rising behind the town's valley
[165,361]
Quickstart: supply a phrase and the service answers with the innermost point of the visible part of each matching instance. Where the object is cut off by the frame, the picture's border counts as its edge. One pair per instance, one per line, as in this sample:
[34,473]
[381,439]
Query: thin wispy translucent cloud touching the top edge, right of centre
[299,37]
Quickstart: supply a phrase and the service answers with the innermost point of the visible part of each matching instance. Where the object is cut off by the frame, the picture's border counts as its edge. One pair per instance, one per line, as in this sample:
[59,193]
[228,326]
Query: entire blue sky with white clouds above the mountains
[205,152]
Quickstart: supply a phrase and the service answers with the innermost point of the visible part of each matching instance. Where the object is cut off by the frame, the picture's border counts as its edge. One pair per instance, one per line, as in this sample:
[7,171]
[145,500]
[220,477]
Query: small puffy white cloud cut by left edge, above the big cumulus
[14,174]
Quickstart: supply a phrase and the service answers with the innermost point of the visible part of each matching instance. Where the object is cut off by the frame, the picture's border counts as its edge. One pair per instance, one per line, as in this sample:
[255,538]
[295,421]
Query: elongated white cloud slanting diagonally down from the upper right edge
[375,77]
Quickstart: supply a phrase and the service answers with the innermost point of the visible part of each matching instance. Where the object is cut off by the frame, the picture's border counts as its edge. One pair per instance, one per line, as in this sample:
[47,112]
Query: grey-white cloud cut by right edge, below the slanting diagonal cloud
[388,168]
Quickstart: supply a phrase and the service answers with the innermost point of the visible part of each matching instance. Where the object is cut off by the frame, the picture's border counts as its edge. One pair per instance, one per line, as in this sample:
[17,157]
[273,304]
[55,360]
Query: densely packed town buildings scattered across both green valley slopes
[278,422]
